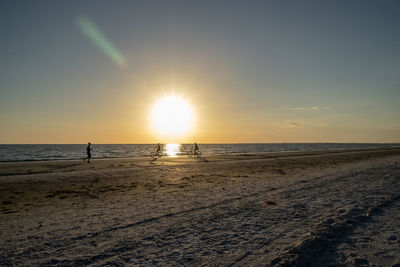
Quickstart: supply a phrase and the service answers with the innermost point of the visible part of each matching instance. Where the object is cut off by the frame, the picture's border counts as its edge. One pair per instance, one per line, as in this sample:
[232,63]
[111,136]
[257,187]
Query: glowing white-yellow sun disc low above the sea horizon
[172,116]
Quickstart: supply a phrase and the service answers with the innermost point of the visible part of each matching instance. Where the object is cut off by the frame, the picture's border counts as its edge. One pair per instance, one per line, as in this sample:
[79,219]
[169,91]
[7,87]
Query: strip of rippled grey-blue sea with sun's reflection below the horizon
[78,151]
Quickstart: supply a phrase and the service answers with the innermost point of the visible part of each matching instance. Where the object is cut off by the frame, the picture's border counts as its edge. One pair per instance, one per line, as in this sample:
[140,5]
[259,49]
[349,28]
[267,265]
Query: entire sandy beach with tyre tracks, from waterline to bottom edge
[293,209]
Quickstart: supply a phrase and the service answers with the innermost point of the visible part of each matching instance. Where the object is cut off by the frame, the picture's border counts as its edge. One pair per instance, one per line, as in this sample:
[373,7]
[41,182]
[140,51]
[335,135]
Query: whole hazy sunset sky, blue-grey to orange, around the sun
[253,71]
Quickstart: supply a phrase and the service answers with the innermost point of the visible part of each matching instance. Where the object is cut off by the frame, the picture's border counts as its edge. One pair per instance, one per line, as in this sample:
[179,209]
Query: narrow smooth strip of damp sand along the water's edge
[19,168]
